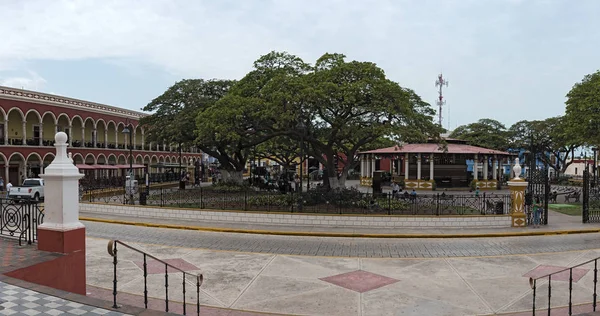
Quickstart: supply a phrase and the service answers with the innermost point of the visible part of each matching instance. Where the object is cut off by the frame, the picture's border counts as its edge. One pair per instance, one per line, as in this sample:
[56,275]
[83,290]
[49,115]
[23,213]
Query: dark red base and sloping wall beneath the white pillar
[64,273]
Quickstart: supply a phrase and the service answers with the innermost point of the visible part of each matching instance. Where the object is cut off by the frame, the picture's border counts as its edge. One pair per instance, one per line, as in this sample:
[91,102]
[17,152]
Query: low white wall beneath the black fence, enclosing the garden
[389,221]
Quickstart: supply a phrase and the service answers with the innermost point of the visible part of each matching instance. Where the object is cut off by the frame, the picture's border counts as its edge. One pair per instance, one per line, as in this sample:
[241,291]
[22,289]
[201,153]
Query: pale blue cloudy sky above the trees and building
[504,59]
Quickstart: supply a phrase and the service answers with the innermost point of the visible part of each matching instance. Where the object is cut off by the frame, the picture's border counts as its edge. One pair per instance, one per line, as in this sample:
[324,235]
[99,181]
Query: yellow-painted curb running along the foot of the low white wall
[329,234]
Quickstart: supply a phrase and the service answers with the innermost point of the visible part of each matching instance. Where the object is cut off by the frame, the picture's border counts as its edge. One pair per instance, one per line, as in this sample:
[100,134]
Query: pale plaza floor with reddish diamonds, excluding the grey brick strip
[312,285]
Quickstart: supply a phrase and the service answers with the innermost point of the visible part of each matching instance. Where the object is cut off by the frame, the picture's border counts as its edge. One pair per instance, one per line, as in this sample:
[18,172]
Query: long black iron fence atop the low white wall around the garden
[314,201]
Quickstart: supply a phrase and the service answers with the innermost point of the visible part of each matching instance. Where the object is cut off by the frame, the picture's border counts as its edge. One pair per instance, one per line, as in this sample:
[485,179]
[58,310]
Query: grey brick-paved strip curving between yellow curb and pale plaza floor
[346,247]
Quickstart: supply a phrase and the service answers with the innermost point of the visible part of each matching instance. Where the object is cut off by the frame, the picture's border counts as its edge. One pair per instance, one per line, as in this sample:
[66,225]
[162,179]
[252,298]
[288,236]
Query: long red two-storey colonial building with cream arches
[98,138]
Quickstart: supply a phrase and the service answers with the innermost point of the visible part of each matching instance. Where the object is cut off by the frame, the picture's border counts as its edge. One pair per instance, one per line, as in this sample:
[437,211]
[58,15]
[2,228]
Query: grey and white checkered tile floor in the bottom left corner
[18,301]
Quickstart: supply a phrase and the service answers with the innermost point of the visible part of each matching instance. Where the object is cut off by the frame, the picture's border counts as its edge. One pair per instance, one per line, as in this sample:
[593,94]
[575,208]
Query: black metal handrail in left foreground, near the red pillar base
[112,251]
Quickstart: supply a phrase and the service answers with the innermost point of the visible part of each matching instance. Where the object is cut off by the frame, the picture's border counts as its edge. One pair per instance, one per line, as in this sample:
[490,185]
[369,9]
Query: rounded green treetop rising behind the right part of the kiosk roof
[487,133]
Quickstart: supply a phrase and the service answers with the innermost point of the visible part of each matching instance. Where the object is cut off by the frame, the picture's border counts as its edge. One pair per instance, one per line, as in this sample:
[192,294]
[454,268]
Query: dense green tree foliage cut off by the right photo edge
[583,111]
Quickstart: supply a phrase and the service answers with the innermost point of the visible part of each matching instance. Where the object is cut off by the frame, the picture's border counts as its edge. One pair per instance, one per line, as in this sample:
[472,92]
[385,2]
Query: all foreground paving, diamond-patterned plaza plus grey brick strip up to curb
[440,284]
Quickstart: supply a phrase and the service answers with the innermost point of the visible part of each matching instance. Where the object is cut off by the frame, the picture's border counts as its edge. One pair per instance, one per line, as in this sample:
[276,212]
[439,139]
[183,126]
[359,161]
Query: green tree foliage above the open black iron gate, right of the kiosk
[549,136]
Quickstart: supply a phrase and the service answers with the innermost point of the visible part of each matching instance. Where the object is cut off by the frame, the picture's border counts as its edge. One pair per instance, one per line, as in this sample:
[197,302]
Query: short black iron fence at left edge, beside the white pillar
[19,219]
